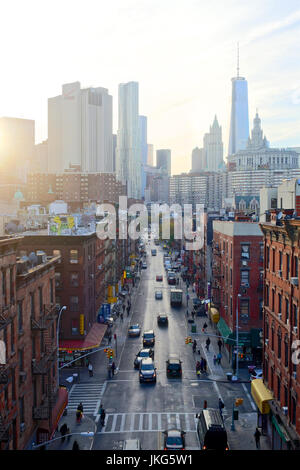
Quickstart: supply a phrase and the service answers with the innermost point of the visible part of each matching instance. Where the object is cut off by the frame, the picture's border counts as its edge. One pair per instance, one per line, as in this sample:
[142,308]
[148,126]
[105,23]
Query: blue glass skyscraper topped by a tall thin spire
[239,123]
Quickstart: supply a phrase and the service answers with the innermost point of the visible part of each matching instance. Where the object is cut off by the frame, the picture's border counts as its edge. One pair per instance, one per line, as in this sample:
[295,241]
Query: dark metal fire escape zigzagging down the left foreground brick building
[42,367]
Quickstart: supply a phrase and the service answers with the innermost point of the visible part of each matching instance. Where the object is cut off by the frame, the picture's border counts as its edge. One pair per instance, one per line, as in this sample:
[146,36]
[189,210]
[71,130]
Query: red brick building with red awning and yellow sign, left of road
[75,288]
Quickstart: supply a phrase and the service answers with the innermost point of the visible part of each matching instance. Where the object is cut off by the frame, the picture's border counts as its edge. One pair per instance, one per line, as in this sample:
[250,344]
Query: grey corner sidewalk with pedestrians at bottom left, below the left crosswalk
[84,442]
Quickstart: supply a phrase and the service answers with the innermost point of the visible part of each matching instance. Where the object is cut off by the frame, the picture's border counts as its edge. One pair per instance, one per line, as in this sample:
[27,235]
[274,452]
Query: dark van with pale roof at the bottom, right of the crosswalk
[211,430]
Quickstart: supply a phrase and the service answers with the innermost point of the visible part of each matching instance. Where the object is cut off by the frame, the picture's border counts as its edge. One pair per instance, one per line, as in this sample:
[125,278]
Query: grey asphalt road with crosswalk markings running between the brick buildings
[142,411]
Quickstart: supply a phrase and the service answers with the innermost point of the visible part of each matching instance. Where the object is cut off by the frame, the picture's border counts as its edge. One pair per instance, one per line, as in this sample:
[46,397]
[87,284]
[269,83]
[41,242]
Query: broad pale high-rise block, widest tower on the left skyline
[80,129]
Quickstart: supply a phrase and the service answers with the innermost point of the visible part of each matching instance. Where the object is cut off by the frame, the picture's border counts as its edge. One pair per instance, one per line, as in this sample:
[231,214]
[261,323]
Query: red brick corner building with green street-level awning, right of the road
[237,263]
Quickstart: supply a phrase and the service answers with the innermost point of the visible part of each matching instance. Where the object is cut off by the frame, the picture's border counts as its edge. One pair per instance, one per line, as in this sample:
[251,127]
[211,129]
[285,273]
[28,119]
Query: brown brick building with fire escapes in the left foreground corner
[31,400]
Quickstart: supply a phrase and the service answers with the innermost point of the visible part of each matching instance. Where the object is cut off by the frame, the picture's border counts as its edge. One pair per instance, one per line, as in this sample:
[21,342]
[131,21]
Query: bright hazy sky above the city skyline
[182,53]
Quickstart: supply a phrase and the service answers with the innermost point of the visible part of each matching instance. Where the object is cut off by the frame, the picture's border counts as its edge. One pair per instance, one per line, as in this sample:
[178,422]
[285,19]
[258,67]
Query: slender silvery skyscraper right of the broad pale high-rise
[128,152]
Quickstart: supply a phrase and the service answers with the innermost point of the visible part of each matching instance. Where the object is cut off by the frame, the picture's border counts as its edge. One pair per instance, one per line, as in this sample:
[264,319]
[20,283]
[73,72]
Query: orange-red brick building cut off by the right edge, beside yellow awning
[281,329]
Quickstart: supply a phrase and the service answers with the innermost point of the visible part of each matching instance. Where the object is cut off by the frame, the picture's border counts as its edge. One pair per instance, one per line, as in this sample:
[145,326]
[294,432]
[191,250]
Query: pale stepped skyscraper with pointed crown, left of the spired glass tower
[213,147]
